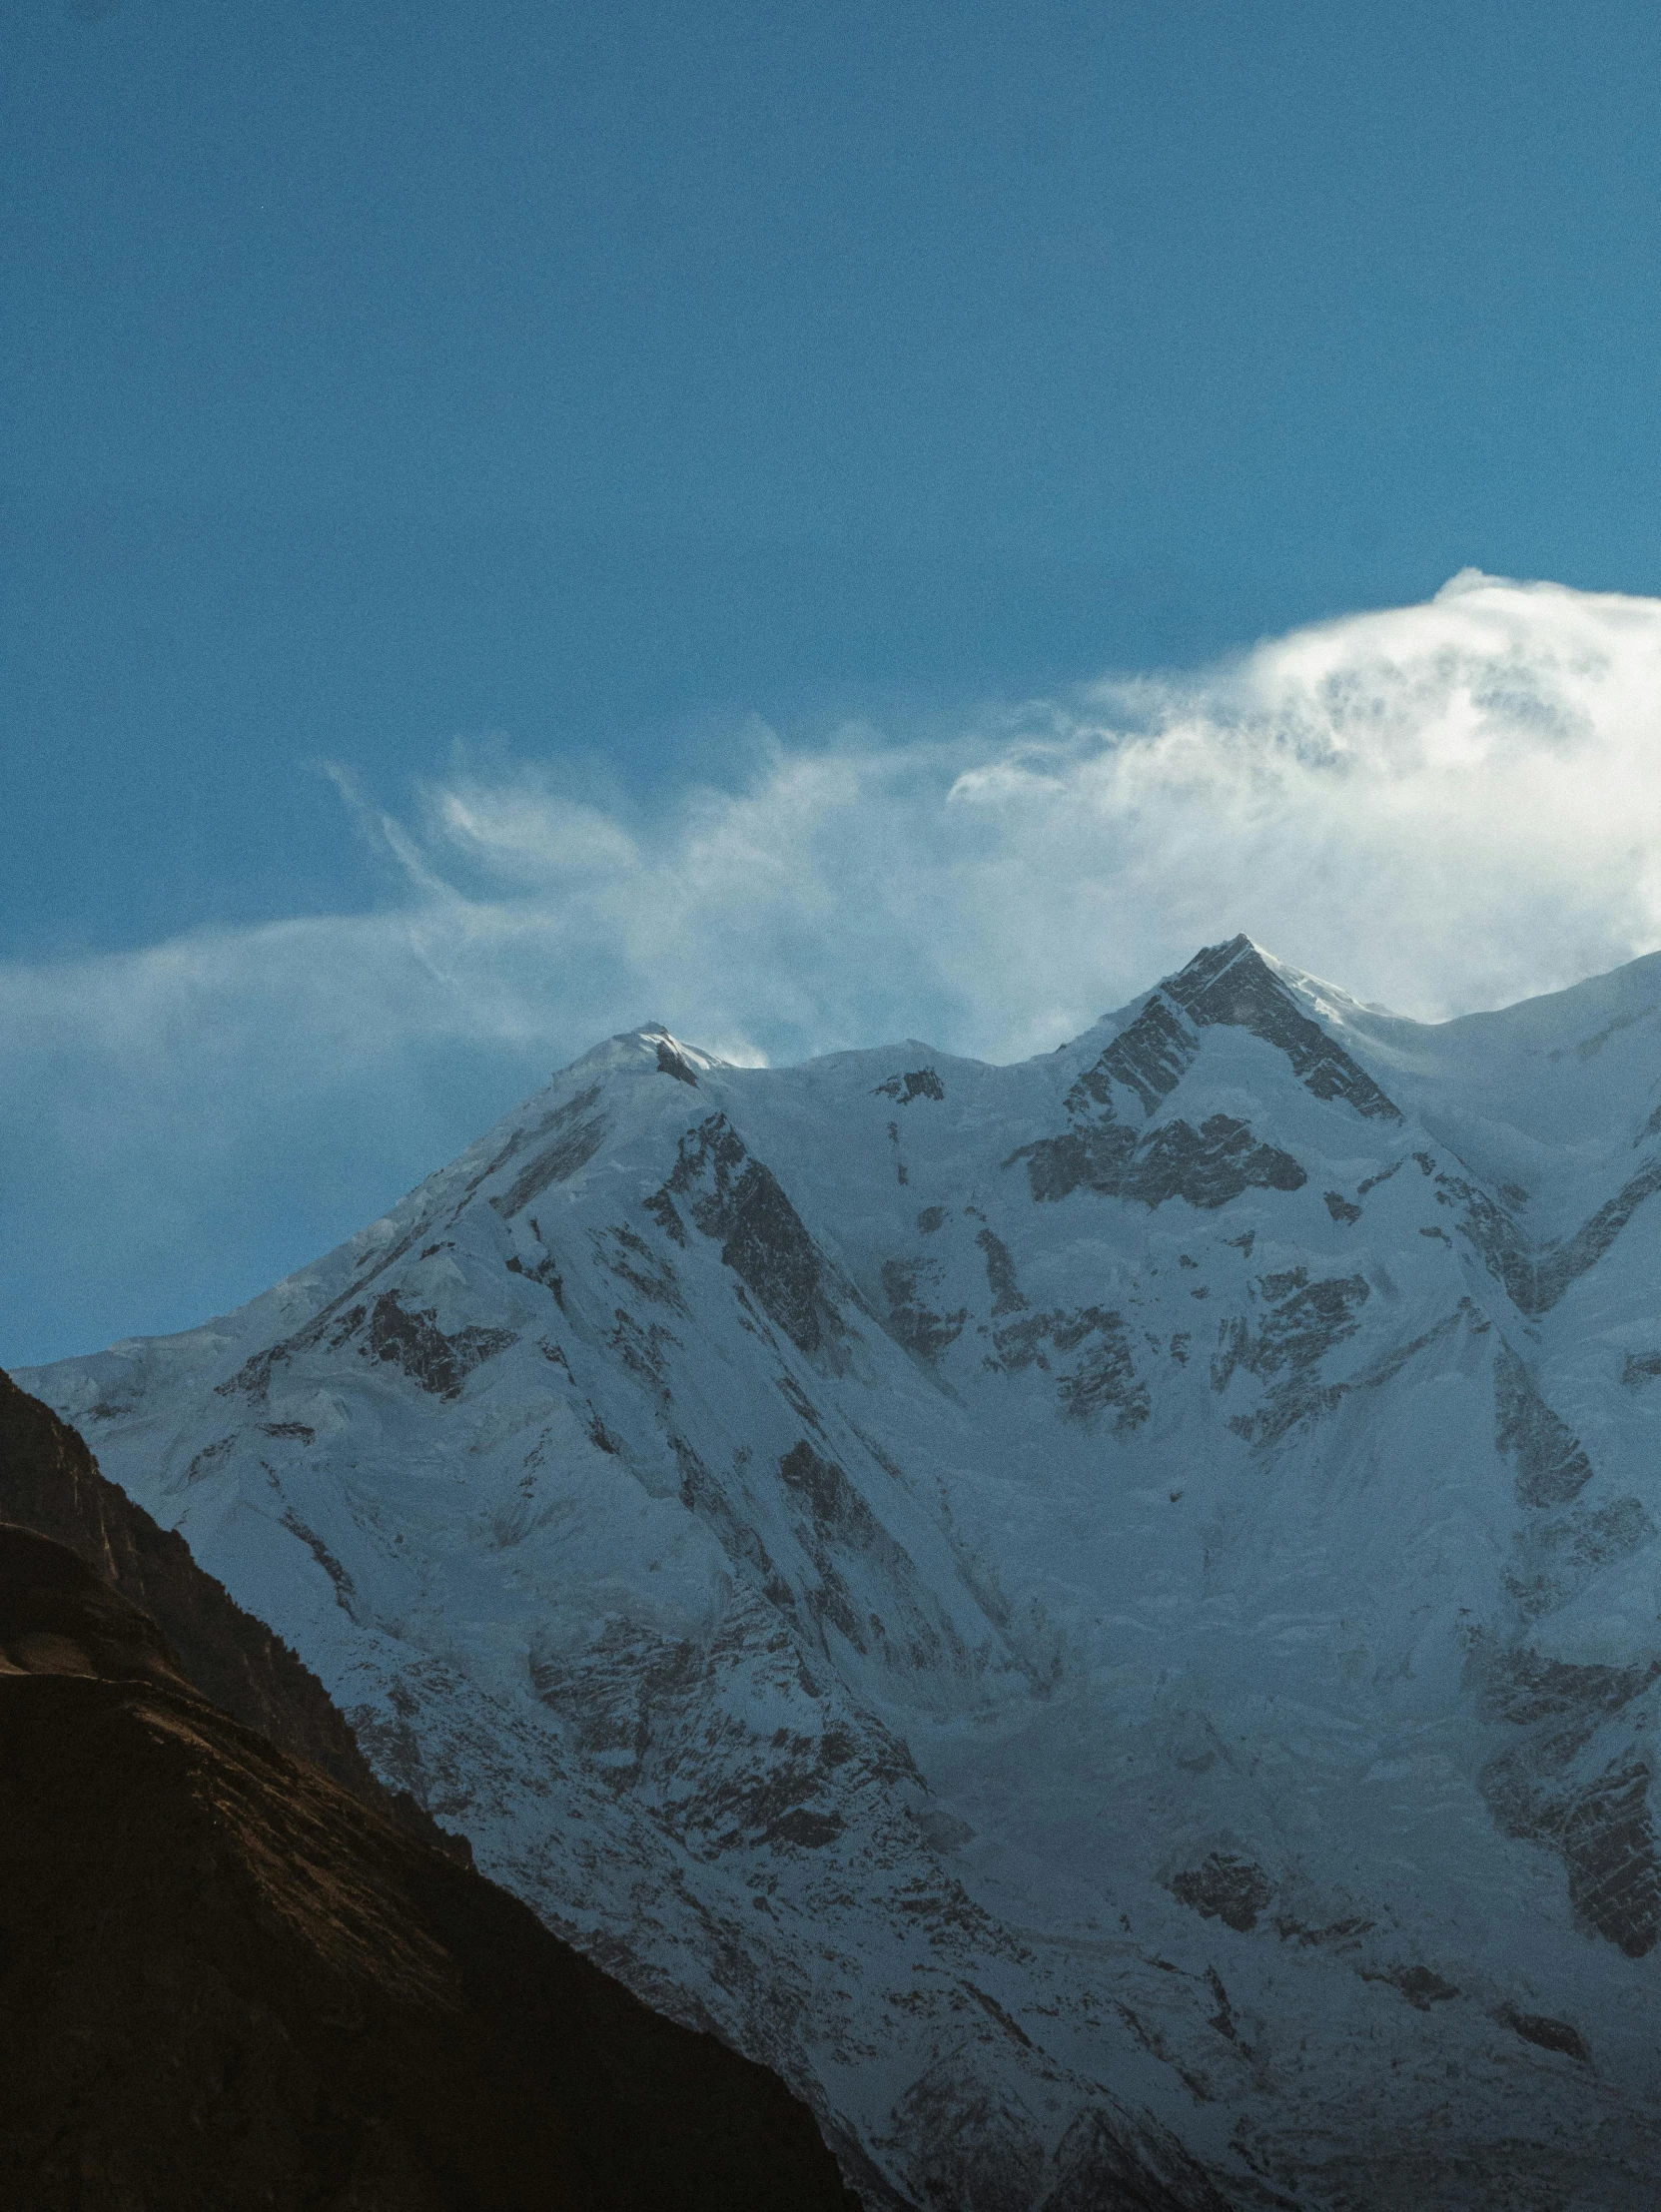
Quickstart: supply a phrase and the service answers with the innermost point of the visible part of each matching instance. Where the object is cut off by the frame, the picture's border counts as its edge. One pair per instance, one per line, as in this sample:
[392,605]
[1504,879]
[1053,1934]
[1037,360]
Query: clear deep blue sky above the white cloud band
[379,373]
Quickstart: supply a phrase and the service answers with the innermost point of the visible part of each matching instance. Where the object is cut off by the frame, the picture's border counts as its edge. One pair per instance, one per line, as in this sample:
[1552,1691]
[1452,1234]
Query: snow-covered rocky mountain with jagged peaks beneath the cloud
[1100,1616]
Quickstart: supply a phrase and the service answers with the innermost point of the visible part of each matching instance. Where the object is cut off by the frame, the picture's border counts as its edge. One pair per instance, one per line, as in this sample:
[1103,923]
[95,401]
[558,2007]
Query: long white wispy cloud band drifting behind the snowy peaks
[1439,806]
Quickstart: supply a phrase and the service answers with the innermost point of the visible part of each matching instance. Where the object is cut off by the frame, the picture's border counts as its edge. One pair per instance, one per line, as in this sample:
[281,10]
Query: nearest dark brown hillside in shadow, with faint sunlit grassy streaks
[227,1981]
